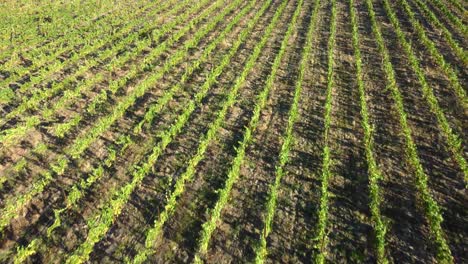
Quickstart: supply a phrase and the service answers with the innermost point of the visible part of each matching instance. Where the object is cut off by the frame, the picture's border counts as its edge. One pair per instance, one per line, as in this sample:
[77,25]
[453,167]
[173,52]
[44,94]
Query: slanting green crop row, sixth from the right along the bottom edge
[154,233]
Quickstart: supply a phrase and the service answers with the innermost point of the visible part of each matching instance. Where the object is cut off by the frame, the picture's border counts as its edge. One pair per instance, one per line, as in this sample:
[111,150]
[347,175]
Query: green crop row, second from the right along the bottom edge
[380,227]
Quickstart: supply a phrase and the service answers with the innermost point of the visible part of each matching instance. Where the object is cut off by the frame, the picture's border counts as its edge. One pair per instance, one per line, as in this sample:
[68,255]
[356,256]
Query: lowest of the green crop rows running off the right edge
[453,140]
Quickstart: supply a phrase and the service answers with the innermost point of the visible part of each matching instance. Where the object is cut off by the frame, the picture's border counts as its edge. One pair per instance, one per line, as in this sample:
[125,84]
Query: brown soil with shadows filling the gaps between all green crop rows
[350,233]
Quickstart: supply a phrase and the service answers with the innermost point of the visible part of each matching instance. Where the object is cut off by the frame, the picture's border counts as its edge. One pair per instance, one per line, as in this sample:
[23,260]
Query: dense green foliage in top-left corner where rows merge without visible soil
[53,23]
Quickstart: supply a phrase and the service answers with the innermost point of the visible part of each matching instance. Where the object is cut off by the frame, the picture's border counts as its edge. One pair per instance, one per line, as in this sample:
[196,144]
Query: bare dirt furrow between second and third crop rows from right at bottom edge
[350,231]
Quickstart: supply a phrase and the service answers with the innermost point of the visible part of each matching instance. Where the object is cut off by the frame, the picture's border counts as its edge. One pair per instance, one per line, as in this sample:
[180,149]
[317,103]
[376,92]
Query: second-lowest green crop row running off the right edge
[436,55]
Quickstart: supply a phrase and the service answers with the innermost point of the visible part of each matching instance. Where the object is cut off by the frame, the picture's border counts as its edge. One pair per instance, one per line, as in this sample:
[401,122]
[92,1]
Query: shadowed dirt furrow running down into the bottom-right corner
[445,178]
